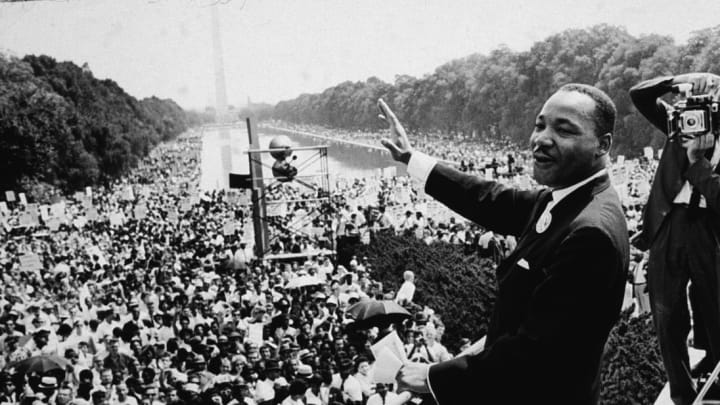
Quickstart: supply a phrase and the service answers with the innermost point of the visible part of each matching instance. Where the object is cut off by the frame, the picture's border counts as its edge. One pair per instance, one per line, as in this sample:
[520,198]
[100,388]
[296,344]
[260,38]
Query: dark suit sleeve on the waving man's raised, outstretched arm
[494,206]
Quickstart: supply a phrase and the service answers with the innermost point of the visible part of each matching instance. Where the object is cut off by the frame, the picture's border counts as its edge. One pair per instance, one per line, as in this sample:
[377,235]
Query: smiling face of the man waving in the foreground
[564,142]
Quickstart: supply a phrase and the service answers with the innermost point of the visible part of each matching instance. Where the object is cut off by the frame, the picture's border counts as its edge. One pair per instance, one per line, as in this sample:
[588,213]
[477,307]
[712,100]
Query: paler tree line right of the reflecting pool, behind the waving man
[496,96]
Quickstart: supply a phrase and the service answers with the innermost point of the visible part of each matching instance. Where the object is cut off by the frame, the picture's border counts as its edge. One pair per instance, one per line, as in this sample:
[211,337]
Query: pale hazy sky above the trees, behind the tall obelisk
[278,49]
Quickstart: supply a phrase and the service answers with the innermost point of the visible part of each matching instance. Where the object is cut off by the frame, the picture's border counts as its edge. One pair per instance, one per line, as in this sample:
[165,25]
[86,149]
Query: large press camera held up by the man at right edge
[694,115]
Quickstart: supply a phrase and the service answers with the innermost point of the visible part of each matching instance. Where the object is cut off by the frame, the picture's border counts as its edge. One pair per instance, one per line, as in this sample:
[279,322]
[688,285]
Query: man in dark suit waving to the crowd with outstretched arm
[560,291]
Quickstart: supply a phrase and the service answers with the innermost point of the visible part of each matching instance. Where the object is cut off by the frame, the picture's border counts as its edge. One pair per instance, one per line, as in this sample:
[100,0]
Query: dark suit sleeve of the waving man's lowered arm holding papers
[569,316]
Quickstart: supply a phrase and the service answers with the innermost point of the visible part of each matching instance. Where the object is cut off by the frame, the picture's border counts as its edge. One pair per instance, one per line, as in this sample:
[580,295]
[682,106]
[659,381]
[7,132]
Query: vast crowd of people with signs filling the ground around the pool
[149,291]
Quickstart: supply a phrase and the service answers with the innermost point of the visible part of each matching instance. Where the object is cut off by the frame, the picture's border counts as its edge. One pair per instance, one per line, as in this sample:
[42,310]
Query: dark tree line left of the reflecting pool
[61,127]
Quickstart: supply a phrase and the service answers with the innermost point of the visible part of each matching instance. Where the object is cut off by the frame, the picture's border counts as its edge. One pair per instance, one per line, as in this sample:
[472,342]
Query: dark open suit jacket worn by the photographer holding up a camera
[673,170]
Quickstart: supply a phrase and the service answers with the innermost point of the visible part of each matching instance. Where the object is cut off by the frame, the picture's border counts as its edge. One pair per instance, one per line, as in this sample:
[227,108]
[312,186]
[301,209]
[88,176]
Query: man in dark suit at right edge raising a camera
[681,227]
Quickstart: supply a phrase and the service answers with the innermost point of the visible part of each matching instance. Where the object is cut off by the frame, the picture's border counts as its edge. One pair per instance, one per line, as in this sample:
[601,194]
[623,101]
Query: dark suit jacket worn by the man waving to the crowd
[559,293]
